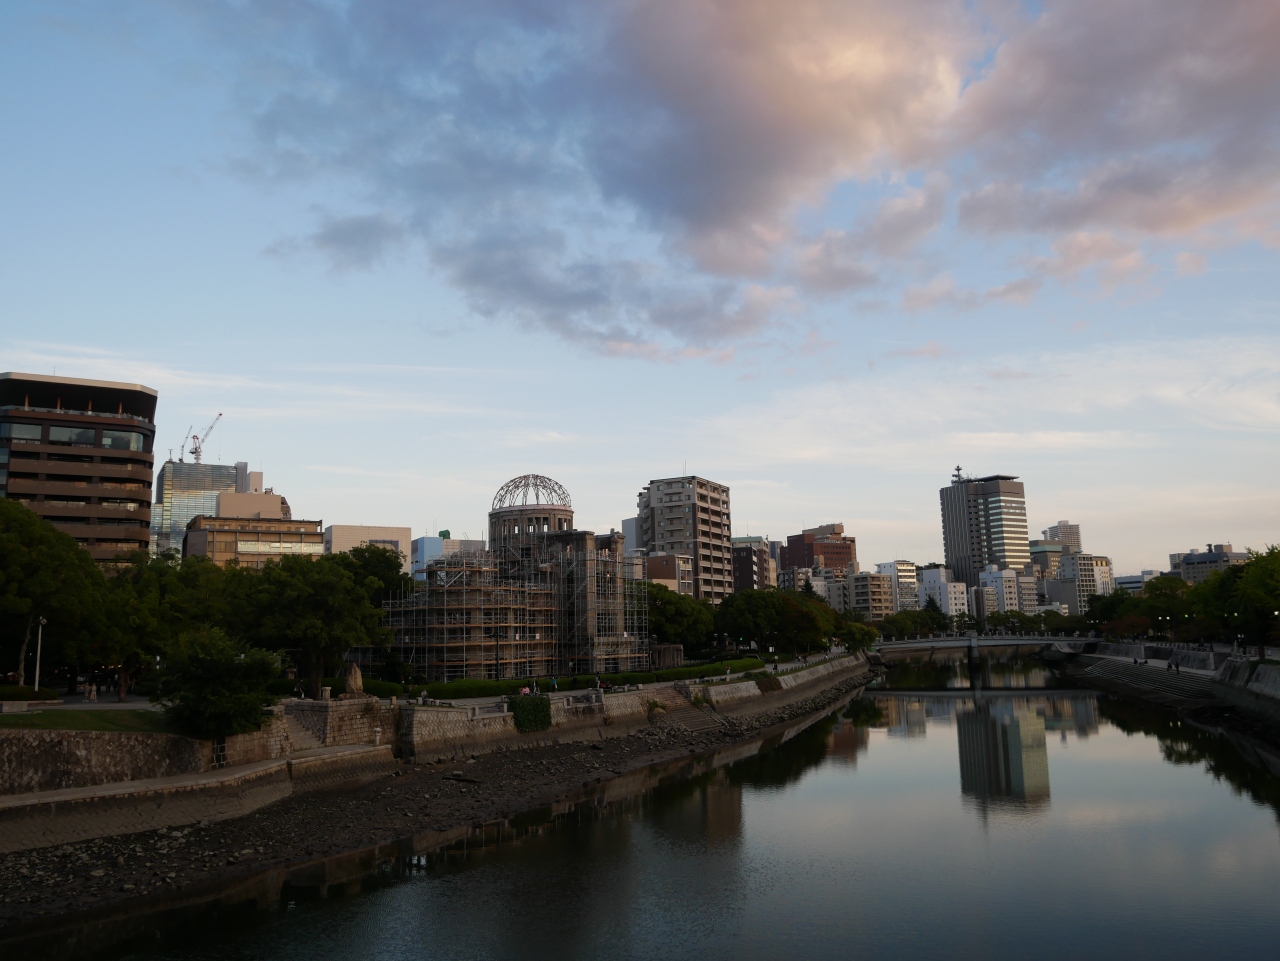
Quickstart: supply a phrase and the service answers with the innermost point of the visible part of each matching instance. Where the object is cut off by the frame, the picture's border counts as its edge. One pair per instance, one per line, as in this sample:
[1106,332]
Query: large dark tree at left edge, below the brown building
[44,574]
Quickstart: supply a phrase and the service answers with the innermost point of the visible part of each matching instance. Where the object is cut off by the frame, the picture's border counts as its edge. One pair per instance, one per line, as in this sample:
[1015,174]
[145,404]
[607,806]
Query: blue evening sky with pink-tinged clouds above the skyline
[822,253]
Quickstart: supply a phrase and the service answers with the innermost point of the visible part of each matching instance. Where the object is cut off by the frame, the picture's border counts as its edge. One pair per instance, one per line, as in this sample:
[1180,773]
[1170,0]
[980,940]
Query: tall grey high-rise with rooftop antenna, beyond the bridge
[984,523]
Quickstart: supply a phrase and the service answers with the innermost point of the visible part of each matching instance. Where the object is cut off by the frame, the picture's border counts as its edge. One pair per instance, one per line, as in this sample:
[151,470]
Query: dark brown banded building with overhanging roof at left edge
[79,454]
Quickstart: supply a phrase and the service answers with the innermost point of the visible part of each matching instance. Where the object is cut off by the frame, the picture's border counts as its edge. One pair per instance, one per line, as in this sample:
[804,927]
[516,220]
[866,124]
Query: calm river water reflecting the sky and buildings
[1032,823]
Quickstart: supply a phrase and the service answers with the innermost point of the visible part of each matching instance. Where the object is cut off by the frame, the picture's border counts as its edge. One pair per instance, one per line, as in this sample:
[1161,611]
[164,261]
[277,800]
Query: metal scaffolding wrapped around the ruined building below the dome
[531,610]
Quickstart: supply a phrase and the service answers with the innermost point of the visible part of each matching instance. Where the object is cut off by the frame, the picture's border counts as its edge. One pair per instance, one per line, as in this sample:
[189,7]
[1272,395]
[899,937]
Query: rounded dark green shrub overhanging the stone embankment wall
[213,687]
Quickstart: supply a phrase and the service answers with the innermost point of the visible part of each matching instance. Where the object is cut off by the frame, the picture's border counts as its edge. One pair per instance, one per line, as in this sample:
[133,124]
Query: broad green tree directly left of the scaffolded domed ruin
[314,606]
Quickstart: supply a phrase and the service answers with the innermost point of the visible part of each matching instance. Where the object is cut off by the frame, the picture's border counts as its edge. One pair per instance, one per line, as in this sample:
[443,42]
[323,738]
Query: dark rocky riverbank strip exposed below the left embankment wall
[45,891]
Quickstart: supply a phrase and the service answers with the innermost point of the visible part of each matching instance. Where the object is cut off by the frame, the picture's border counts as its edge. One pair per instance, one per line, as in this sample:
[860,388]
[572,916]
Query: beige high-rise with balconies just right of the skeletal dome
[691,516]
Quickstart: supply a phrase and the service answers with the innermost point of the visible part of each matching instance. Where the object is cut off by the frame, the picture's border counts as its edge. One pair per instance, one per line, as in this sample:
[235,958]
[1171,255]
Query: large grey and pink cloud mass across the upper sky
[656,179]
